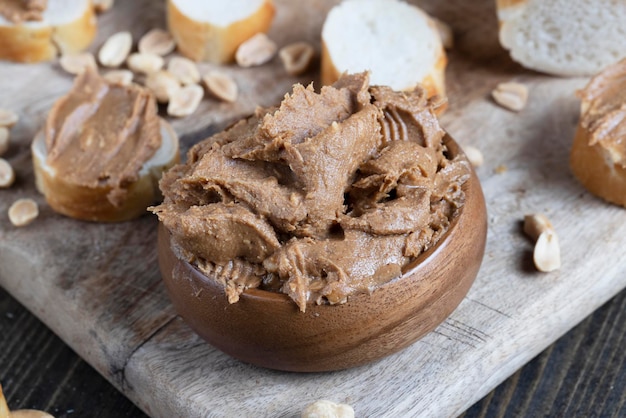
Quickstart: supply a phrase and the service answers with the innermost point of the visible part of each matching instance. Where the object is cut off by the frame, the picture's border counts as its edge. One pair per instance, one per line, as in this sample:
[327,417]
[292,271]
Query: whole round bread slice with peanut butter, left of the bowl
[102,151]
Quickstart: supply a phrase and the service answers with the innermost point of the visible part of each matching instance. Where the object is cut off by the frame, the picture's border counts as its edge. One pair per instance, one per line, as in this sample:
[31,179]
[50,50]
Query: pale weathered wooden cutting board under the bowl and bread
[98,286]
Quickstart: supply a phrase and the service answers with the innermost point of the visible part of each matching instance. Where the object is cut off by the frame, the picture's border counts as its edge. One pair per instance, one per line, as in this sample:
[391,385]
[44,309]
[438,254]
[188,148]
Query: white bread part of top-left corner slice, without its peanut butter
[67,26]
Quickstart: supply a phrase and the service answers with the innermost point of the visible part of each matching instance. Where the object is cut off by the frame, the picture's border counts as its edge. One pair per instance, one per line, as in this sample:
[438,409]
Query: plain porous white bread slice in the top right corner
[563,37]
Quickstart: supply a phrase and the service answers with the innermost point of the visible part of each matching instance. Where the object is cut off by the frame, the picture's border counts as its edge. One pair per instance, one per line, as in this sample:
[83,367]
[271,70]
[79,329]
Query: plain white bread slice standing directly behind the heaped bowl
[398,43]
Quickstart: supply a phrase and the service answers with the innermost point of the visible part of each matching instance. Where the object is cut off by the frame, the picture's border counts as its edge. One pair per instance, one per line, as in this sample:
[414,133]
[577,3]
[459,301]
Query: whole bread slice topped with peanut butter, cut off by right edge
[598,155]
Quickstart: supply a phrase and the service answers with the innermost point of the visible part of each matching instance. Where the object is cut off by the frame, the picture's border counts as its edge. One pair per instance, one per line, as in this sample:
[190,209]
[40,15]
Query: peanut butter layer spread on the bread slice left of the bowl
[101,134]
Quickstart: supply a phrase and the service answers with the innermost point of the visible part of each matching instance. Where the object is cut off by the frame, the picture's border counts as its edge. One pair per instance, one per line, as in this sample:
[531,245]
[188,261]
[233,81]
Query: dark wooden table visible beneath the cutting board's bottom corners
[583,374]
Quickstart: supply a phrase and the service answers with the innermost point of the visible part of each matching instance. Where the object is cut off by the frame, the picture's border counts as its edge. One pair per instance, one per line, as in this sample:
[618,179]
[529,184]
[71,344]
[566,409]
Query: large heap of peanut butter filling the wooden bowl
[325,196]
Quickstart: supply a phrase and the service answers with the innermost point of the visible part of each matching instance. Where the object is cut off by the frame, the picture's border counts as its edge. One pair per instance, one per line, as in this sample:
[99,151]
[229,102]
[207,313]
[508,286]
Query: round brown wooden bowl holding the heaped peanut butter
[267,329]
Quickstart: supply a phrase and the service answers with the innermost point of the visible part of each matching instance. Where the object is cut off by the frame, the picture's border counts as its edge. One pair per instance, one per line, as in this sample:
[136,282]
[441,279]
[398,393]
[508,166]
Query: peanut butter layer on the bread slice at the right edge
[604,111]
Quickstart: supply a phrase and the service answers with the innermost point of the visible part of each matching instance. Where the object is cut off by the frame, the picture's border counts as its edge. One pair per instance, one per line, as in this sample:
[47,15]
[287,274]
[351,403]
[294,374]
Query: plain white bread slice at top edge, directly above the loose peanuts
[212,30]
